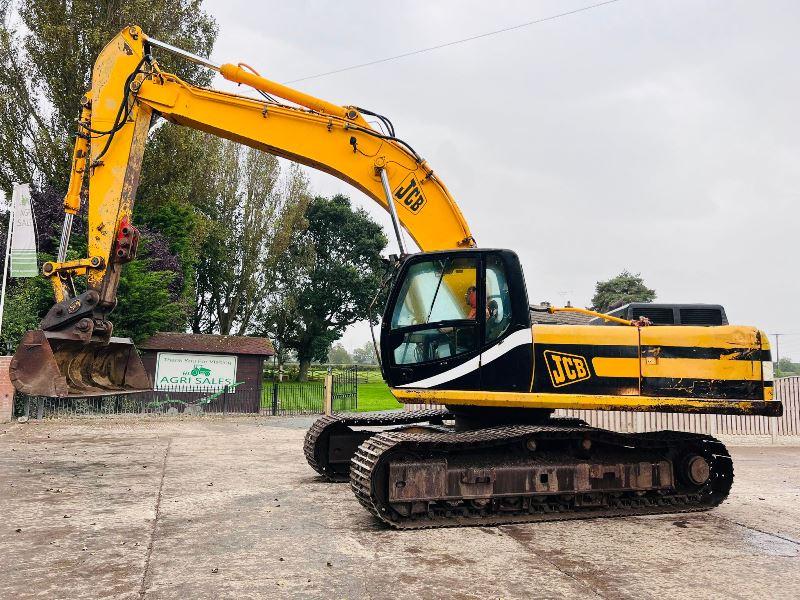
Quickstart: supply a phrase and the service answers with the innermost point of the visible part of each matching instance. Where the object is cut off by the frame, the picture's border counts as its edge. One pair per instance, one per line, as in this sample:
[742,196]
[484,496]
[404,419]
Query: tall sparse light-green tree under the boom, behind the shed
[253,215]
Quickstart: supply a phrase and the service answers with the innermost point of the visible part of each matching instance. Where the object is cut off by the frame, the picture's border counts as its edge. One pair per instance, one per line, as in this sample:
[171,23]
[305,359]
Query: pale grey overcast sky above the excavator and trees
[656,136]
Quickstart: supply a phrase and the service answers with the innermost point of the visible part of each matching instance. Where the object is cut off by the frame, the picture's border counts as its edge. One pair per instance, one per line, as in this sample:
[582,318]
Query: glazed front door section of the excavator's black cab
[430,334]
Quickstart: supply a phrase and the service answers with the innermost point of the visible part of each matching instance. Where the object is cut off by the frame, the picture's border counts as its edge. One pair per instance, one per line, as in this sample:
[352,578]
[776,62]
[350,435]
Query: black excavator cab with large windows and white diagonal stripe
[451,315]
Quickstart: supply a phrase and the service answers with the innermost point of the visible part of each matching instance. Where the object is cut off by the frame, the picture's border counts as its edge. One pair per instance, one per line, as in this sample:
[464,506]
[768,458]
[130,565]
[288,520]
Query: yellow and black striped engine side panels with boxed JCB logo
[684,362]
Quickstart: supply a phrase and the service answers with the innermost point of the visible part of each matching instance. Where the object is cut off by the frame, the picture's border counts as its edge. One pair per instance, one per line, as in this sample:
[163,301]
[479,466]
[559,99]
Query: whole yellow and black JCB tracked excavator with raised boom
[456,330]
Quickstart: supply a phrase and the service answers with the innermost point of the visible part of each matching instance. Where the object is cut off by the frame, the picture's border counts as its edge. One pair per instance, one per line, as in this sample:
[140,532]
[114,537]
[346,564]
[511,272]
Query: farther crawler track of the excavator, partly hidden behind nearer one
[330,442]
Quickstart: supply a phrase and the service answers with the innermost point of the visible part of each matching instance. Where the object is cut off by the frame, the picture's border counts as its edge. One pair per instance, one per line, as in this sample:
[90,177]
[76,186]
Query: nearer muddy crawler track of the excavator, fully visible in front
[524,473]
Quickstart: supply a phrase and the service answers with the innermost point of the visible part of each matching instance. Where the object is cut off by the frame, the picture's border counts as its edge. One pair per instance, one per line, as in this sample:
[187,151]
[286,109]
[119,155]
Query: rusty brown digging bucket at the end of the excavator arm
[57,365]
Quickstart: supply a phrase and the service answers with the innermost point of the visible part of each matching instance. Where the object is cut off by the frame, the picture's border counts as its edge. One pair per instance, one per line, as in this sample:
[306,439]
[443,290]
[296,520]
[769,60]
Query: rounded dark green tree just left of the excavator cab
[327,279]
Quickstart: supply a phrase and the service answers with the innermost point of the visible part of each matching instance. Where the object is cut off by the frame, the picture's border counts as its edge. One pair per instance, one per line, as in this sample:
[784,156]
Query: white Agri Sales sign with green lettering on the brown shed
[194,371]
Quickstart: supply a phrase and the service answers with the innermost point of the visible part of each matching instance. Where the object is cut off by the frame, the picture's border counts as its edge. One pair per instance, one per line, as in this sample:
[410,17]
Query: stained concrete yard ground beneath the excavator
[205,508]
